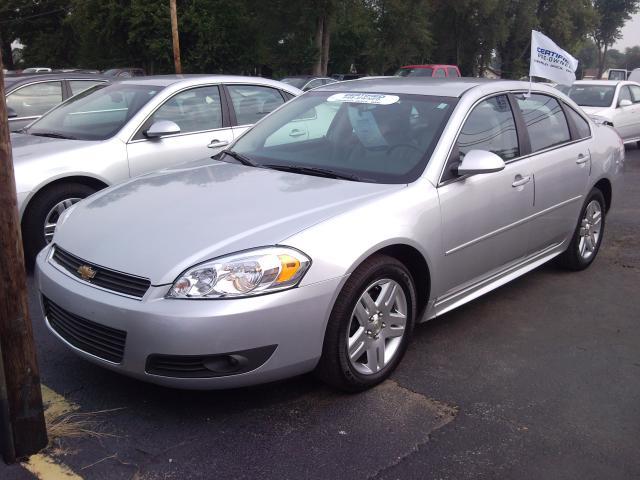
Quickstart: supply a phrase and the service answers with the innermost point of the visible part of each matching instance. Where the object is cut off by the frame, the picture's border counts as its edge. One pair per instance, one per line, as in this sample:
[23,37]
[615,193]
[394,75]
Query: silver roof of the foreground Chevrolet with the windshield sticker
[441,87]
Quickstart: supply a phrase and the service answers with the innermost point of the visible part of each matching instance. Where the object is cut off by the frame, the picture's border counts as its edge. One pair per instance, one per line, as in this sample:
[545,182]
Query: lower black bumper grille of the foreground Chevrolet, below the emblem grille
[91,337]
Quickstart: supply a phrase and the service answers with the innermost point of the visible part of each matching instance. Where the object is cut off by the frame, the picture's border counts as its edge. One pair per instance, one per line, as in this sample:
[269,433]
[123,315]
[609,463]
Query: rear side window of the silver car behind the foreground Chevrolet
[252,102]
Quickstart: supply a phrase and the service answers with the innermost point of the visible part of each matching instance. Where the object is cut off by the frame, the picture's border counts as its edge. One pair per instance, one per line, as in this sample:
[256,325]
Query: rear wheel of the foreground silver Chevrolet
[587,236]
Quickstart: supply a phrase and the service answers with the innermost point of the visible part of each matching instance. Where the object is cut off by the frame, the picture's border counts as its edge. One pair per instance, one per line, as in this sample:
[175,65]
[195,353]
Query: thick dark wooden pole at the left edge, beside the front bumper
[22,427]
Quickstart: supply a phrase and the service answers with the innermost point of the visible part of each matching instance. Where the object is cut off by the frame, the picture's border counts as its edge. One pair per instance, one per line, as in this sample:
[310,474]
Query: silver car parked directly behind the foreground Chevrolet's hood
[107,135]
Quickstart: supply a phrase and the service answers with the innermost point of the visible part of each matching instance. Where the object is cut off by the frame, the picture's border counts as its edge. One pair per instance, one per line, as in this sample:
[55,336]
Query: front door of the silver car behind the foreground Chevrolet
[199,113]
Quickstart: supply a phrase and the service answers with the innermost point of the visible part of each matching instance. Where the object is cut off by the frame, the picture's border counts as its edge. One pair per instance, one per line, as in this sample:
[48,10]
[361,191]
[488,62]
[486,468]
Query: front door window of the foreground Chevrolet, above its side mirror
[491,127]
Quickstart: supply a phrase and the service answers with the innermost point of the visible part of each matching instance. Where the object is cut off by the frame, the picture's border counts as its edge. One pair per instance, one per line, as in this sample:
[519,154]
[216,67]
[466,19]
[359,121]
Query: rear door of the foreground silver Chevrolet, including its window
[561,163]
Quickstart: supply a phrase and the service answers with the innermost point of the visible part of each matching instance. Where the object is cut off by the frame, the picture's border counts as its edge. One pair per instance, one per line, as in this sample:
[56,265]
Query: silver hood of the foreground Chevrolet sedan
[158,225]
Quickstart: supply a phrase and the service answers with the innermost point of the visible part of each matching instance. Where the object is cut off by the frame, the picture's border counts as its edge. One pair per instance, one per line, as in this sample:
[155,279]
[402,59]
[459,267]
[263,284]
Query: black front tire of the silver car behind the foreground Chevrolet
[37,210]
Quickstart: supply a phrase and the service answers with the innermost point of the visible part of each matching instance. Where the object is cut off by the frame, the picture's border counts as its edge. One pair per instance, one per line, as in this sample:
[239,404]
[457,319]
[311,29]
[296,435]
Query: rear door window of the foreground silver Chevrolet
[545,121]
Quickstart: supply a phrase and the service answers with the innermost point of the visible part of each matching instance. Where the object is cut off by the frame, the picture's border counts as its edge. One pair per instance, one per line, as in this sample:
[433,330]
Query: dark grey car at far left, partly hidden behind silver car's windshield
[30,96]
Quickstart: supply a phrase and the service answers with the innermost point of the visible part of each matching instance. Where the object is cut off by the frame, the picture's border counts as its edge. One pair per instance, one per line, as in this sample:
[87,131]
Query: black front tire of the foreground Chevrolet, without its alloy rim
[334,367]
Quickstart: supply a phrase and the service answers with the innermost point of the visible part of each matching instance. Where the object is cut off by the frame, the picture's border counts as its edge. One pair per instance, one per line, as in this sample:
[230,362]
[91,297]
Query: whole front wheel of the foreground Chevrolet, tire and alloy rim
[370,325]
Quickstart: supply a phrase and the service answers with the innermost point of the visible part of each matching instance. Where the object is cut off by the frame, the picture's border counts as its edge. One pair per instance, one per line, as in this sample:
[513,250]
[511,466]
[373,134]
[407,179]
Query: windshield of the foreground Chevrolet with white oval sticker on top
[379,138]
